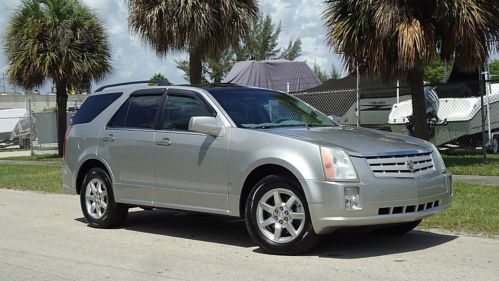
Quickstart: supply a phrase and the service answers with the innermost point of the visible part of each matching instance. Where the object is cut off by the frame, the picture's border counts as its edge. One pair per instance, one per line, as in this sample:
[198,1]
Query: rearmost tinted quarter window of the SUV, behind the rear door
[93,106]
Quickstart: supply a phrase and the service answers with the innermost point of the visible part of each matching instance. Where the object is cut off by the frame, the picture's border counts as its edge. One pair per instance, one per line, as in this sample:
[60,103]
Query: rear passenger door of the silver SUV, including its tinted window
[127,144]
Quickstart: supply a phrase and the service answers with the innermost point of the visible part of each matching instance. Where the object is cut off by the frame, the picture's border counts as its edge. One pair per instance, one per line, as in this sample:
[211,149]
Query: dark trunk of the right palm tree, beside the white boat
[415,80]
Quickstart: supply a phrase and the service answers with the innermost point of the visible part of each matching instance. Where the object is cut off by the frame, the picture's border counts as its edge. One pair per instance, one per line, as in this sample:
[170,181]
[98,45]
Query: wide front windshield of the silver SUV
[257,108]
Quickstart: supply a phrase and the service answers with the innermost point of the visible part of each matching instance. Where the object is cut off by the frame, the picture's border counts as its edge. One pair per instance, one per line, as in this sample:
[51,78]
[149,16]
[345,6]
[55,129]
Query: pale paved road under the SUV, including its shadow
[44,237]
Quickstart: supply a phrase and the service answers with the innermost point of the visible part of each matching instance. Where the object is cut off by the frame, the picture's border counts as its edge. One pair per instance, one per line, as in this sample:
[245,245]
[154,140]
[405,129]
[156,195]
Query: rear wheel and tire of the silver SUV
[97,201]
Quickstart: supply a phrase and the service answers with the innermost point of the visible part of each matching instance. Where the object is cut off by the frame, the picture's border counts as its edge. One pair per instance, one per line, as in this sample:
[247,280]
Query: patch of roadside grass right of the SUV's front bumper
[475,209]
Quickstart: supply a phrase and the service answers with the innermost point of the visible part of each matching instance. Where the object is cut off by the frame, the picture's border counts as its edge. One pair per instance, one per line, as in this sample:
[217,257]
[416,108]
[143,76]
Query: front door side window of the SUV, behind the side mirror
[180,109]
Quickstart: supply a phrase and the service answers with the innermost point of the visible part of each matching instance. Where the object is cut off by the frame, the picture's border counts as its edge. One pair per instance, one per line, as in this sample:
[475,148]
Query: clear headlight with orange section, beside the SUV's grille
[337,164]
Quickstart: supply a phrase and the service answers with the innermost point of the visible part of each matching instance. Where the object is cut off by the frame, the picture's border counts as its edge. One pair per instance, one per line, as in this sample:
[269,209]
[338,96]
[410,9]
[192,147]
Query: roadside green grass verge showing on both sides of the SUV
[475,208]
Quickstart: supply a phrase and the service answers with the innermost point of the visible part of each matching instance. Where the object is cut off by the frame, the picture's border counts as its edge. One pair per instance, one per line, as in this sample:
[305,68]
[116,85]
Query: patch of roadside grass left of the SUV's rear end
[35,178]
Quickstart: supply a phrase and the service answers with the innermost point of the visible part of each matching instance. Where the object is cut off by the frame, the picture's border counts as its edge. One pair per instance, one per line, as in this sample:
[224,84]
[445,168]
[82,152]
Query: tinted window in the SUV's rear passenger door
[137,112]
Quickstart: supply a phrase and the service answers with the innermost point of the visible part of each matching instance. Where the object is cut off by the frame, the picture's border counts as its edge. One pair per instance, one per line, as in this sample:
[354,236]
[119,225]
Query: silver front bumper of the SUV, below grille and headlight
[383,201]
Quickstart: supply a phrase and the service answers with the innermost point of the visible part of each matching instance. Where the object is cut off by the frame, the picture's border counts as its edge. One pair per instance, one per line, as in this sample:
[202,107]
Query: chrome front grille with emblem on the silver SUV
[401,166]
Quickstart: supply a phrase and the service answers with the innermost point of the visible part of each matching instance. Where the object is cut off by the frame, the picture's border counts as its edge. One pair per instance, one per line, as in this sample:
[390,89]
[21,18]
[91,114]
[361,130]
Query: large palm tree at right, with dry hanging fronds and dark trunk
[397,39]
